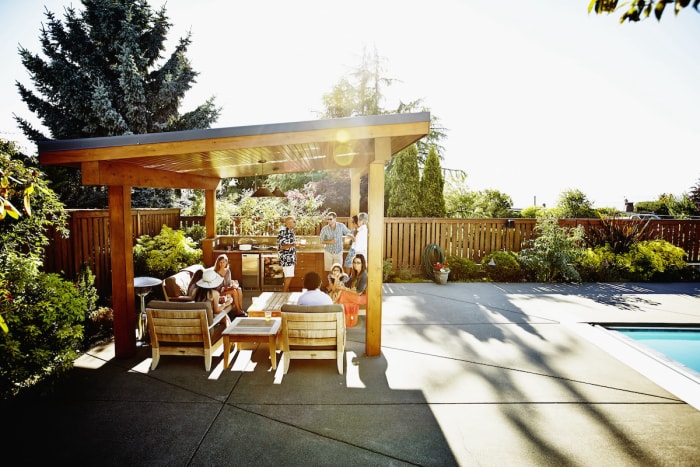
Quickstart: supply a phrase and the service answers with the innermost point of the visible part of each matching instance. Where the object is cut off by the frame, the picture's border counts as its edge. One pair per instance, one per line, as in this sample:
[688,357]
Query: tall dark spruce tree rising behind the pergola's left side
[104,75]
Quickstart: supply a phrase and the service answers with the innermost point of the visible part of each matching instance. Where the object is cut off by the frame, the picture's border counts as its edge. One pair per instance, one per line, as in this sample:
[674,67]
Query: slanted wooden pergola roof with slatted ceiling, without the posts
[201,158]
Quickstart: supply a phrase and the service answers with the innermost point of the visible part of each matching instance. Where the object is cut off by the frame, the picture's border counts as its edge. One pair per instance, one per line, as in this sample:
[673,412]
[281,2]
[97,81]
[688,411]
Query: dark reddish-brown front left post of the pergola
[121,256]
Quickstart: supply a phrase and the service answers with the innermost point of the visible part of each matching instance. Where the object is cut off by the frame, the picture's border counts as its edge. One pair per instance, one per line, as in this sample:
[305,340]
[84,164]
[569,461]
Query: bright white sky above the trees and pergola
[537,98]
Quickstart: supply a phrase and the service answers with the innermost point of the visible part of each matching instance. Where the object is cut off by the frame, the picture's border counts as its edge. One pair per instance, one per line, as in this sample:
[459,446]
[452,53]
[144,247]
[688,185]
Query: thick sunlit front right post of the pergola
[375,211]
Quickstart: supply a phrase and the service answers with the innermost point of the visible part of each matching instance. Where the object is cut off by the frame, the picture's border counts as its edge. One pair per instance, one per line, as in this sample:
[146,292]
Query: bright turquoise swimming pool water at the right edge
[679,344]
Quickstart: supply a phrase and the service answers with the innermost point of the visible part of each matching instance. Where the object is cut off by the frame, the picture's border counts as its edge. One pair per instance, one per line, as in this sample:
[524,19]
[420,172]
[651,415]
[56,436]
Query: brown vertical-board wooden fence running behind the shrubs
[405,239]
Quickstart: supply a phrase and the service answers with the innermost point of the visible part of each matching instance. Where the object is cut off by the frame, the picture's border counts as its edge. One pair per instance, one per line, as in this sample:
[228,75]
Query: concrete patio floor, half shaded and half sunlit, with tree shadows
[470,374]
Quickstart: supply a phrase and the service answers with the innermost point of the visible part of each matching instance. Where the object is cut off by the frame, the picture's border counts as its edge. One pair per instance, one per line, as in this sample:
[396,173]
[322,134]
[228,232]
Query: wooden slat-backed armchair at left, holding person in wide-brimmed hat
[184,329]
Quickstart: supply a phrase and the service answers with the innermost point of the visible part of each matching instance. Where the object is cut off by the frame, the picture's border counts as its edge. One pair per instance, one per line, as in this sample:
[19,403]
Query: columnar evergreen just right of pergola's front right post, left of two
[404,196]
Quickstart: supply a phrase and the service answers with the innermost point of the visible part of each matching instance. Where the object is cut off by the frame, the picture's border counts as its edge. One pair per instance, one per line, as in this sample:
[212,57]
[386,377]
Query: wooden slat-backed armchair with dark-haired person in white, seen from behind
[313,332]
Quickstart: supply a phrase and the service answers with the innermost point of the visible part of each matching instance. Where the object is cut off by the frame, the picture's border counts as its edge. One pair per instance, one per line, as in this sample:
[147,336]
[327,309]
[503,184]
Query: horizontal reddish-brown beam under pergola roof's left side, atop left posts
[114,173]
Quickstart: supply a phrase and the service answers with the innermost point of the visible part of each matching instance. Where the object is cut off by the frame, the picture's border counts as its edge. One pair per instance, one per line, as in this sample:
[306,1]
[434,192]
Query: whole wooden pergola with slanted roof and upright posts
[199,159]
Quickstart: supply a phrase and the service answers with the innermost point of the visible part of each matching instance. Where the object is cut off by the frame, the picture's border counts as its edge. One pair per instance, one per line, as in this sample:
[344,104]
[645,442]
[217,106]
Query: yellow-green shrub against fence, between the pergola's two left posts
[165,254]
